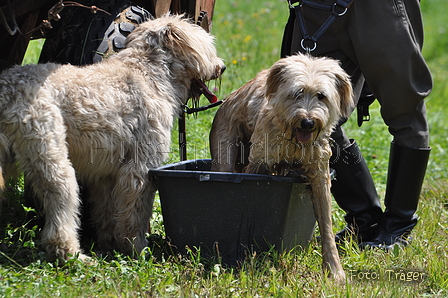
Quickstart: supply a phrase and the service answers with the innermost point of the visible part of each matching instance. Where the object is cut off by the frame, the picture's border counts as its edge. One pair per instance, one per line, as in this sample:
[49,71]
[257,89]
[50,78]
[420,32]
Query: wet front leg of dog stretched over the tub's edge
[322,208]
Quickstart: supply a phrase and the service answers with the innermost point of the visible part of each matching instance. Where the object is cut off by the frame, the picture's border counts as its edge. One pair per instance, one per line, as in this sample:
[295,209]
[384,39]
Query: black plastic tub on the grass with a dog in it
[232,214]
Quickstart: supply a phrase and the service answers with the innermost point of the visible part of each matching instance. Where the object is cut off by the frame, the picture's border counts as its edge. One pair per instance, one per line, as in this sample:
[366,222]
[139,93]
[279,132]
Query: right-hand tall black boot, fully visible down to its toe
[407,167]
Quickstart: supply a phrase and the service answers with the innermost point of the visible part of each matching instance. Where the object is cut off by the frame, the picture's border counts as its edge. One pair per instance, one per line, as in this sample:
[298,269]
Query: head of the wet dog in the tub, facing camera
[310,94]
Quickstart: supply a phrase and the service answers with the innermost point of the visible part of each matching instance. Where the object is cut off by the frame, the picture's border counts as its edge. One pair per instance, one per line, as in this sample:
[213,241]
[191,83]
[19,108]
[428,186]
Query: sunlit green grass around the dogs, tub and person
[248,38]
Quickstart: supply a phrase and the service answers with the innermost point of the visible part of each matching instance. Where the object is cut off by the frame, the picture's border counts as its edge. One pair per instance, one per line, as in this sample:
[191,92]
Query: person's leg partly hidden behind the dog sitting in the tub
[353,189]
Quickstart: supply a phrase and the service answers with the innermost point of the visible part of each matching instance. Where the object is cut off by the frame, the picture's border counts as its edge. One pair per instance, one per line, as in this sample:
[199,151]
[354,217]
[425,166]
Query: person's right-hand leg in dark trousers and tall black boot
[397,74]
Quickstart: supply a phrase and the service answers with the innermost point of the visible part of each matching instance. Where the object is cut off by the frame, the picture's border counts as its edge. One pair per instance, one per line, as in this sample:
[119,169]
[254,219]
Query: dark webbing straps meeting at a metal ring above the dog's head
[337,9]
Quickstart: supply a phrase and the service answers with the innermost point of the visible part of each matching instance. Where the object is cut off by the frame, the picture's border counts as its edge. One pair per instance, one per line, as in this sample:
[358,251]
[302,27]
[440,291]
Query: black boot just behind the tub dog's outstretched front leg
[355,193]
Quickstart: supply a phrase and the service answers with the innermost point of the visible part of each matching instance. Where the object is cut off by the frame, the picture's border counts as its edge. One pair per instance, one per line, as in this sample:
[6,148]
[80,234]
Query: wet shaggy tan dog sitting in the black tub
[282,120]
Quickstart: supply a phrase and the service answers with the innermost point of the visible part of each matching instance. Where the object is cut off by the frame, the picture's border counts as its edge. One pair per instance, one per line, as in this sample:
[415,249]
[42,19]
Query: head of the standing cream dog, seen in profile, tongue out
[188,43]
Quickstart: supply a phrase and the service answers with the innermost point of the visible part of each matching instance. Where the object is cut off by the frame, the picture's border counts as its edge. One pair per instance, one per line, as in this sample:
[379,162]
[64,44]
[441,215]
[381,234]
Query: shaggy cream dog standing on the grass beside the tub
[103,125]
